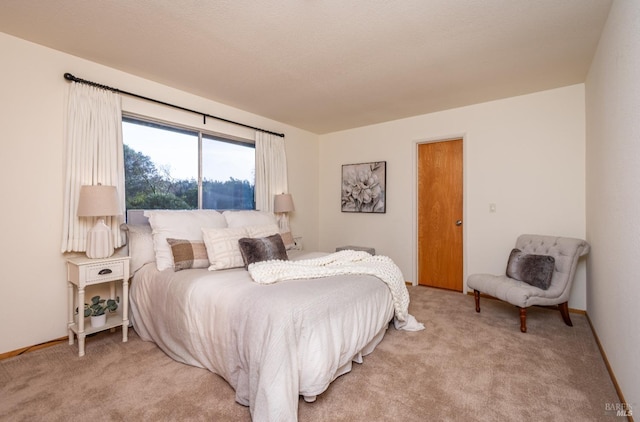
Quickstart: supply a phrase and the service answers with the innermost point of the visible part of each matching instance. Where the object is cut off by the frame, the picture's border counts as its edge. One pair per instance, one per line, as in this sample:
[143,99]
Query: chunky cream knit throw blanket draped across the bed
[341,263]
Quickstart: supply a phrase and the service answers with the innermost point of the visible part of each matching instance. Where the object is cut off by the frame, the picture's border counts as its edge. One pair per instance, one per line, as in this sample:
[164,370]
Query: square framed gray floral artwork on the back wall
[364,187]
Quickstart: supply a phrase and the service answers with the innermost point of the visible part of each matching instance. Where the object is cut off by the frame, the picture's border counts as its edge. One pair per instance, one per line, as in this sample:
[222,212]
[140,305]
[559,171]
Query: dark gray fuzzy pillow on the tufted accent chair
[536,270]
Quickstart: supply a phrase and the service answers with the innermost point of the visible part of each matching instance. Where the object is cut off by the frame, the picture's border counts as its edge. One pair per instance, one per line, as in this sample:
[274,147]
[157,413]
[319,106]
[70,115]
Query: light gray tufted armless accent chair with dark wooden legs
[566,252]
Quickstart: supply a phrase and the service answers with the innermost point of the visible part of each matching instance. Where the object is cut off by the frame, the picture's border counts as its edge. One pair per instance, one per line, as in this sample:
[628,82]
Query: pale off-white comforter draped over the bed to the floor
[272,343]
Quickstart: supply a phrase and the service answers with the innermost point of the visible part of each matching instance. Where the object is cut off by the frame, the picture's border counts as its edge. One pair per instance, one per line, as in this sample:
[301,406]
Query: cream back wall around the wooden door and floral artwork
[525,154]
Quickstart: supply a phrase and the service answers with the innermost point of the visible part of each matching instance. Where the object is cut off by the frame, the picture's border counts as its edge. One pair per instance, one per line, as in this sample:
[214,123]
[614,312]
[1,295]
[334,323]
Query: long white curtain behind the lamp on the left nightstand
[94,155]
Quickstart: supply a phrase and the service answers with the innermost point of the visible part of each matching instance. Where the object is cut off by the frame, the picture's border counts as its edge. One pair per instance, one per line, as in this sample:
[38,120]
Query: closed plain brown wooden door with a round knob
[440,214]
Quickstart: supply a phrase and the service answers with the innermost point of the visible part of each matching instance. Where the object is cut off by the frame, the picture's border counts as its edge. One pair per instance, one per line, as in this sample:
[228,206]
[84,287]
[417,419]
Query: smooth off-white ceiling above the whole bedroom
[327,65]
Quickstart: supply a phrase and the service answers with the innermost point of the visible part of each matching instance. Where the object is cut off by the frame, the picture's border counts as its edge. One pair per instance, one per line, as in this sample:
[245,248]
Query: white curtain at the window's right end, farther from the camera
[271,169]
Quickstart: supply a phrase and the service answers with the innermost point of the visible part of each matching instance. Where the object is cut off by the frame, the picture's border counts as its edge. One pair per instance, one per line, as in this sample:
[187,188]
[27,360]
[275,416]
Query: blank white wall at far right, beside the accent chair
[613,194]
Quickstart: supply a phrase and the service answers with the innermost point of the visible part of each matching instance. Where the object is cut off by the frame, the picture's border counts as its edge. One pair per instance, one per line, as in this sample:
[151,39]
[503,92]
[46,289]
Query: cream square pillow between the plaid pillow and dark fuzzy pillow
[222,247]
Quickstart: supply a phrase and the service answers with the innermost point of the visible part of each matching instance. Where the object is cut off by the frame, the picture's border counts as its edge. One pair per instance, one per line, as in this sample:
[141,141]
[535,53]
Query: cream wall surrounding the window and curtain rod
[32,113]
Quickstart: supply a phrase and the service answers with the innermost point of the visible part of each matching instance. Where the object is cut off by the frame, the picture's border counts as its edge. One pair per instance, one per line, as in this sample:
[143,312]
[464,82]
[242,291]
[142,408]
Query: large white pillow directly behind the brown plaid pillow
[179,224]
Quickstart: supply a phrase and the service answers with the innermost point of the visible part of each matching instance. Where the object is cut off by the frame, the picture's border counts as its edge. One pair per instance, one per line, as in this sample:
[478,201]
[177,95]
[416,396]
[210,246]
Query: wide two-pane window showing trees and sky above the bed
[170,167]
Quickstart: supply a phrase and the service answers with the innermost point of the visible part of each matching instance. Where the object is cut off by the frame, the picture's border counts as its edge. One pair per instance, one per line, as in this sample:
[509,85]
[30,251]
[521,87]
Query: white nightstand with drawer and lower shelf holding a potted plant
[83,272]
